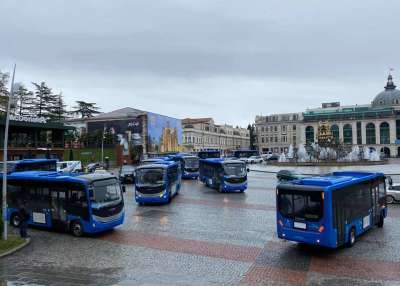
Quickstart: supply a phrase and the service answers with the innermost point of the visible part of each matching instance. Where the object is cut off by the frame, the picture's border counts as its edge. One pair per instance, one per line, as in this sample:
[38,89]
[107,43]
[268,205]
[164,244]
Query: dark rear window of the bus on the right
[300,204]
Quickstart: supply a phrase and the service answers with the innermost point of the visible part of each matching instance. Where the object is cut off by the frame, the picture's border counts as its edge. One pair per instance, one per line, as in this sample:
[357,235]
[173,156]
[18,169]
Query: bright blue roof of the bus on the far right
[331,181]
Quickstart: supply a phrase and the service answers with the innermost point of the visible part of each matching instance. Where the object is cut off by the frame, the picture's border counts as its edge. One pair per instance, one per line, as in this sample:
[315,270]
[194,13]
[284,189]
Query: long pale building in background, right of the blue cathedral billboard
[203,133]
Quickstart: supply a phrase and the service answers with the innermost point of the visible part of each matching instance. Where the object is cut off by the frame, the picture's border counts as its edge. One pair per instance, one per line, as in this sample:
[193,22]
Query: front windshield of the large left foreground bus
[106,191]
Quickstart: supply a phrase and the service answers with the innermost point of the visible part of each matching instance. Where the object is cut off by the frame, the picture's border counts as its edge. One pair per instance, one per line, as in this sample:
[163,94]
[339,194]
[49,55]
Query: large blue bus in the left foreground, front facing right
[80,204]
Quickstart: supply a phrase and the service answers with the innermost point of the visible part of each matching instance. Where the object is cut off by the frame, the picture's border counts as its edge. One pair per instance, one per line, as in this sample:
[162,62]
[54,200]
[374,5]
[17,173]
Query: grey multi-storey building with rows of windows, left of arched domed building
[275,133]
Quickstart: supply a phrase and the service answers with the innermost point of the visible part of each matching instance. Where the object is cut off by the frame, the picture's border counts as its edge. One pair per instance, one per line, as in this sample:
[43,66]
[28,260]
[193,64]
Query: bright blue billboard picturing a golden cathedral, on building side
[164,133]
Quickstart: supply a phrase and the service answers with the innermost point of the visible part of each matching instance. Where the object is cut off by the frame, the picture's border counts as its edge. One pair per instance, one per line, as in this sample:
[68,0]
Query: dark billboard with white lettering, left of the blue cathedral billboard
[127,131]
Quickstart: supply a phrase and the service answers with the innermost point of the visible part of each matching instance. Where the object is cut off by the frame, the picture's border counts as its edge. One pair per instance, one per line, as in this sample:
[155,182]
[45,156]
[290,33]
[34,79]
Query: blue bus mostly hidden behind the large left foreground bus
[30,165]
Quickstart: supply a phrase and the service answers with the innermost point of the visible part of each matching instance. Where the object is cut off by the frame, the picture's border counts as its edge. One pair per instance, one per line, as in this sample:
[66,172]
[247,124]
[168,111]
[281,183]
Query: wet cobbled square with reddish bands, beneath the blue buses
[204,238]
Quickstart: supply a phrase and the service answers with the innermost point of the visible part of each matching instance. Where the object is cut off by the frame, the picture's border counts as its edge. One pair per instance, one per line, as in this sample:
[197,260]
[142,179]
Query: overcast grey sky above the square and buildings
[229,60]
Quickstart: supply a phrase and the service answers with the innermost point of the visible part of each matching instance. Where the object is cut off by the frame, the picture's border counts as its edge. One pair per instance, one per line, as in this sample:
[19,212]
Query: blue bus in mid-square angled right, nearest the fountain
[223,175]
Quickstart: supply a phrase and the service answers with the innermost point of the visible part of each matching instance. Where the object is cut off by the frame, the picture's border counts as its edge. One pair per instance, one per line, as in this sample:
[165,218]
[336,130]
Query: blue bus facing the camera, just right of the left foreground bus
[158,182]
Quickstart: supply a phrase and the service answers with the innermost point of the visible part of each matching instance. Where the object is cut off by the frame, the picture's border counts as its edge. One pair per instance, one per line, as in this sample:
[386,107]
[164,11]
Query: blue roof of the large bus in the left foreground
[52,176]
